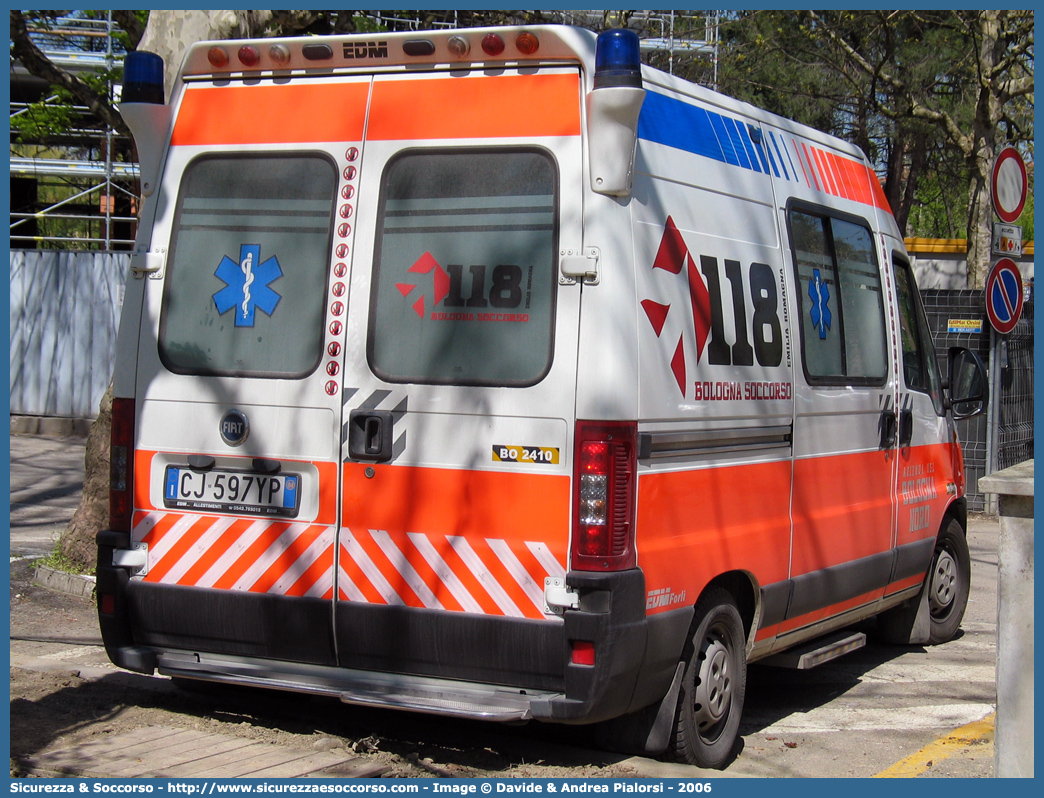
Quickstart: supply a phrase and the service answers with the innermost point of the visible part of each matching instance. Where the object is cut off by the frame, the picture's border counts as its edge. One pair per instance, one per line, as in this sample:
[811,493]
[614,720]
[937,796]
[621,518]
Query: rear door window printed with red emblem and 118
[465,283]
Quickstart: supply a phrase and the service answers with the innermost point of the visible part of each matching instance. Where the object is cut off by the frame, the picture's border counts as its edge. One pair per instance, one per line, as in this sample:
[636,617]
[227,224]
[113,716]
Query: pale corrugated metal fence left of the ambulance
[65,310]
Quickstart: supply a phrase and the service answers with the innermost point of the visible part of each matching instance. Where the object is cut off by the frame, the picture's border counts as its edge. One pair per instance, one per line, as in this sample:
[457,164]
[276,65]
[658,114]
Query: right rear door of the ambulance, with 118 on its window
[460,358]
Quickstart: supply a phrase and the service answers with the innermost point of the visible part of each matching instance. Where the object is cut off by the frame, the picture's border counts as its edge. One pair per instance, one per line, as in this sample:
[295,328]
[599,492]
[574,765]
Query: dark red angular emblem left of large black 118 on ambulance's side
[674,257]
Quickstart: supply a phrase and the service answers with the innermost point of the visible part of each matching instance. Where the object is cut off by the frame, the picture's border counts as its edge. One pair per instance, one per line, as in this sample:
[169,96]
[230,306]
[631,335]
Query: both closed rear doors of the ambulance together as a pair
[361,380]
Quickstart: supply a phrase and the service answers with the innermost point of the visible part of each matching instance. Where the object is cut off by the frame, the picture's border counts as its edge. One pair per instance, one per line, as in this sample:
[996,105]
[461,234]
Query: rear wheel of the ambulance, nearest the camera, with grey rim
[711,699]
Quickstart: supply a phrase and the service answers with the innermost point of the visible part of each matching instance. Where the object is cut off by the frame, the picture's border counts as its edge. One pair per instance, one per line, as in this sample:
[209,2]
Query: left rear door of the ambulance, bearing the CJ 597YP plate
[239,418]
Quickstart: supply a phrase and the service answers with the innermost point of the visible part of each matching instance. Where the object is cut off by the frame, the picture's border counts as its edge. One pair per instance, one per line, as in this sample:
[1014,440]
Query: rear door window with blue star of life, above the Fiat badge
[247,272]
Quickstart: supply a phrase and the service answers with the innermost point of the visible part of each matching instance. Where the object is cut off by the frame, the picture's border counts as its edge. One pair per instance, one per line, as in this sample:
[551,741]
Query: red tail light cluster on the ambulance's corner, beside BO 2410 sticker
[604,496]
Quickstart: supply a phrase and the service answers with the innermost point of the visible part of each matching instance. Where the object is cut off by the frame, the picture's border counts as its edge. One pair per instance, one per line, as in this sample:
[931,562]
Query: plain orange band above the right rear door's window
[466,108]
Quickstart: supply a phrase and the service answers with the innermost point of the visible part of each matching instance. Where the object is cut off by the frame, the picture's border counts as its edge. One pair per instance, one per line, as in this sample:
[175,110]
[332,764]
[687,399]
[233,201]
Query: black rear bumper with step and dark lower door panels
[419,661]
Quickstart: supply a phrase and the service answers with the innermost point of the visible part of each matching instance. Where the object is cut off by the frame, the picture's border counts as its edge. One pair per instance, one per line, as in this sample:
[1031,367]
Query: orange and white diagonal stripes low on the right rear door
[492,577]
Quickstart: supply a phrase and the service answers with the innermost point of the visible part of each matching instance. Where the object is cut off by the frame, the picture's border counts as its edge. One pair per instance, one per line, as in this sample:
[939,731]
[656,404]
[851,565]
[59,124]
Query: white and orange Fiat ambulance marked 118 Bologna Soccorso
[491,373]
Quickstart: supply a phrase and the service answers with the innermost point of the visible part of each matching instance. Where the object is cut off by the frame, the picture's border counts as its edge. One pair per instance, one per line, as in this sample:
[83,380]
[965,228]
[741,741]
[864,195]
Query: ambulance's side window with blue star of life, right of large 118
[840,293]
